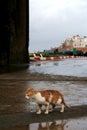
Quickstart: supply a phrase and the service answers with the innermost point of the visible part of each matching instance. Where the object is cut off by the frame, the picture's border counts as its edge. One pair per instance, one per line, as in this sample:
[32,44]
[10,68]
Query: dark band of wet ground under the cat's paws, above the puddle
[26,118]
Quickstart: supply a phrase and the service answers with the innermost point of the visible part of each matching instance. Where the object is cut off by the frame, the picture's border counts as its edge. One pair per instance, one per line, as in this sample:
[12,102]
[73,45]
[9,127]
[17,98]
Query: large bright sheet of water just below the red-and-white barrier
[67,67]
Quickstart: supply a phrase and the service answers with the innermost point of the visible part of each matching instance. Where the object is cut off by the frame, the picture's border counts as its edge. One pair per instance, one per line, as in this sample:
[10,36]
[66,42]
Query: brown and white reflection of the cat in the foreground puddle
[52,126]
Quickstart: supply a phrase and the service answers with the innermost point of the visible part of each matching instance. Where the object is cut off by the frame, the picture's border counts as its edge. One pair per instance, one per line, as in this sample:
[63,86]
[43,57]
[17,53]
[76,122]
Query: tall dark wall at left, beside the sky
[14,33]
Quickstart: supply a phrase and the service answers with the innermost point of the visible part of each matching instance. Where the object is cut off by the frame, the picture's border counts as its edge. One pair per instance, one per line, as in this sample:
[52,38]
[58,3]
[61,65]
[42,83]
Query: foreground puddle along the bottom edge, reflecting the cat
[71,124]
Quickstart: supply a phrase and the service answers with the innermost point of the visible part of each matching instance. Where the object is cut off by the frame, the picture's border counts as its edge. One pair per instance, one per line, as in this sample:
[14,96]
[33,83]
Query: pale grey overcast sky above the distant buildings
[52,21]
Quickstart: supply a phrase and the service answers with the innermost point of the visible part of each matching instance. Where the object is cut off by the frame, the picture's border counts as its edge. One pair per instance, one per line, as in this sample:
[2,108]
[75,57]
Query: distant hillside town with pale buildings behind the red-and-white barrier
[75,45]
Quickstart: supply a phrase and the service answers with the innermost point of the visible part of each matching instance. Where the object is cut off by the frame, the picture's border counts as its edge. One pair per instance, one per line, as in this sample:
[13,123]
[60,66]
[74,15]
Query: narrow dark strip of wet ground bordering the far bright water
[22,75]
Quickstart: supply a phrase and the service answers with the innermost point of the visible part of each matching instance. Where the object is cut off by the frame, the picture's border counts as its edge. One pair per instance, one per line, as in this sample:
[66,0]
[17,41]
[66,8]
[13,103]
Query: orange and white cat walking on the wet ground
[46,97]
